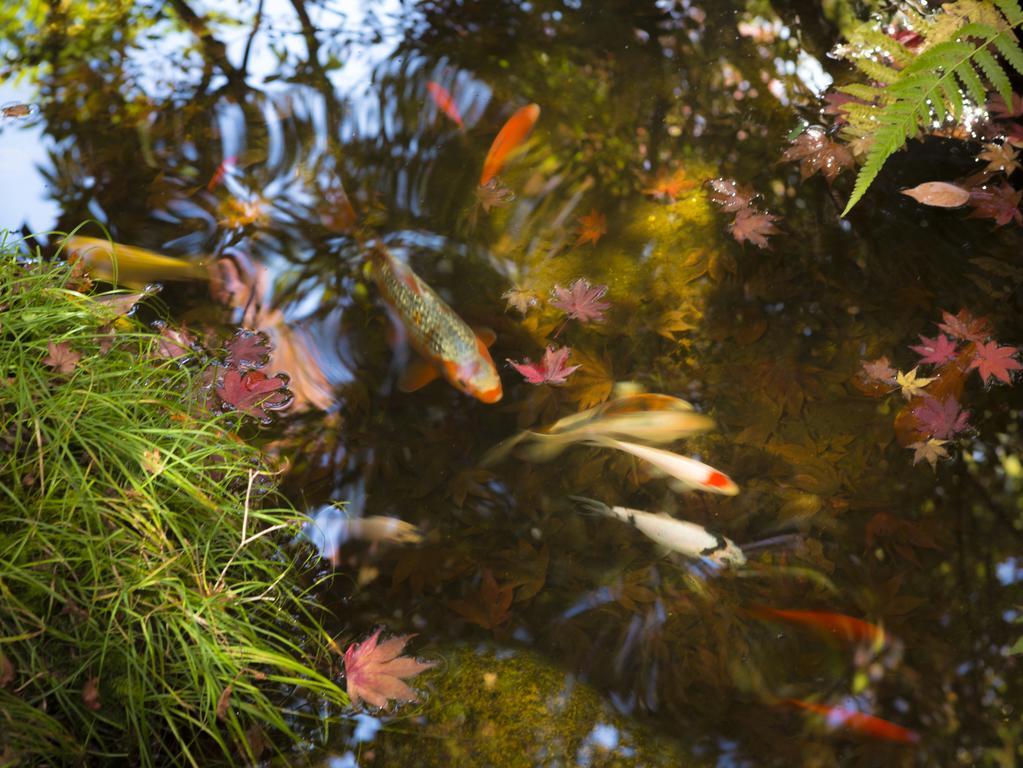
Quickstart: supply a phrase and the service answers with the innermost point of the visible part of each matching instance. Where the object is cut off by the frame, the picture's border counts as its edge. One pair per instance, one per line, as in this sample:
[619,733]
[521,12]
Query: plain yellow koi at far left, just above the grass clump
[129,265]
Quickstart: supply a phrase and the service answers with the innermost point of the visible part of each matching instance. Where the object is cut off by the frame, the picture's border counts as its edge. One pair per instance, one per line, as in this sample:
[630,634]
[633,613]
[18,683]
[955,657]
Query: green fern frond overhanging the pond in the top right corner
[956,63]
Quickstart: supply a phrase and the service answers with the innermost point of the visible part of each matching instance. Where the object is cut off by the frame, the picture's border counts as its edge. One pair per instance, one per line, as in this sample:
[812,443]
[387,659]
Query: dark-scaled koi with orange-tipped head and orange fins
[449,347]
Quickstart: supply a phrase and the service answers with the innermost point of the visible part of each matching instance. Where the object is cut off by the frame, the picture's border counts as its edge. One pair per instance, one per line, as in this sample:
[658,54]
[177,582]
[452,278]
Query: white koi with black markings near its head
[677,535]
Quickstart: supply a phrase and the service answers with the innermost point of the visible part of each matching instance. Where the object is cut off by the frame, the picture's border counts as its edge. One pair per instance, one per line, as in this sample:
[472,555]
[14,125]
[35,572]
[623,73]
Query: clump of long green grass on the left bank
[147,610]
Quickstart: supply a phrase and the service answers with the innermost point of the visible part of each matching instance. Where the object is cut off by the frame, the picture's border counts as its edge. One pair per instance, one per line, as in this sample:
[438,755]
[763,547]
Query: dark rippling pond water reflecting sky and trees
[566,639]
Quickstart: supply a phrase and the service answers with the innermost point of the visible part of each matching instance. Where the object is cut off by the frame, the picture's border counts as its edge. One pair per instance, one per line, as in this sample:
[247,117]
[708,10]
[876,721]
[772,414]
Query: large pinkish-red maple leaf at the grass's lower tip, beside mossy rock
[376,672]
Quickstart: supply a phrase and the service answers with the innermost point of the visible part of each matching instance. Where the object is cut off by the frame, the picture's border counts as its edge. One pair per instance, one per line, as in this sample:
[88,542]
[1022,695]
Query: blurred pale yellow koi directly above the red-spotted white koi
[648,418]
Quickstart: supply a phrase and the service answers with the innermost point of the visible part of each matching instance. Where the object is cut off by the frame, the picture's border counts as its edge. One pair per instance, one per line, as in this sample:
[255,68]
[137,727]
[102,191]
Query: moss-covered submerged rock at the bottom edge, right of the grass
[496,708]
